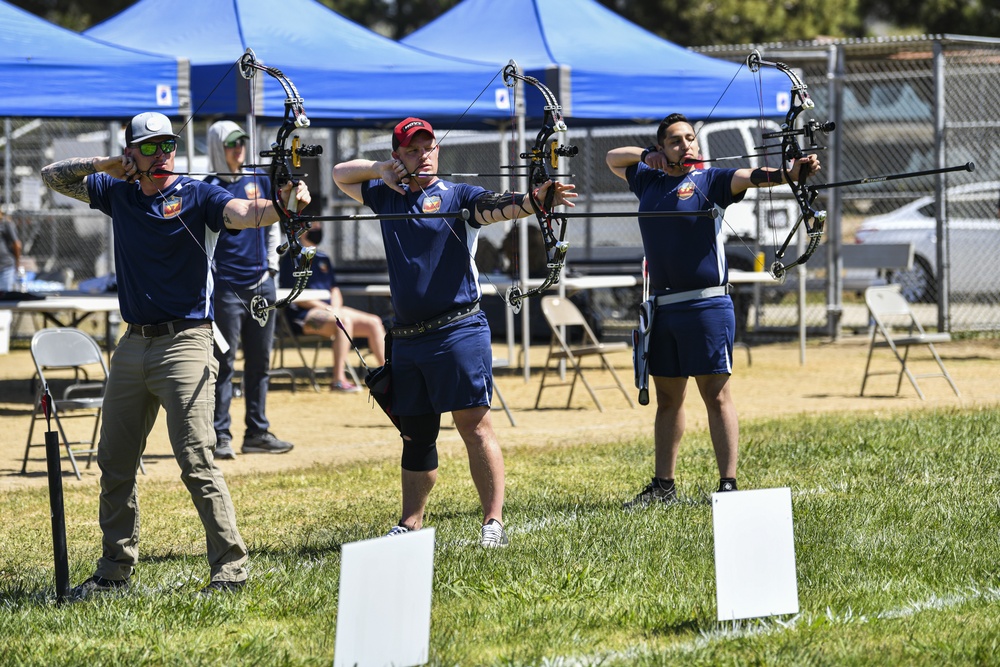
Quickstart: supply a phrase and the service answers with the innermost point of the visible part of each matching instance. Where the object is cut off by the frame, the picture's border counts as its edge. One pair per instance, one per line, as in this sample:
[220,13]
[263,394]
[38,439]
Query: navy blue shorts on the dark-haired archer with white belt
[693,338]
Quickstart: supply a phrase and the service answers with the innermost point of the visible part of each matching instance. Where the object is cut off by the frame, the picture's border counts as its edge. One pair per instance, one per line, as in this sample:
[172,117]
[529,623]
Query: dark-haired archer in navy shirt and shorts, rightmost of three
[693,322]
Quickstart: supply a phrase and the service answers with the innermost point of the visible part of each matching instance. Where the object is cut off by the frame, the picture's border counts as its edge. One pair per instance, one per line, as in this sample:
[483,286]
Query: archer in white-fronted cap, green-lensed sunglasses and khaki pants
[165,229]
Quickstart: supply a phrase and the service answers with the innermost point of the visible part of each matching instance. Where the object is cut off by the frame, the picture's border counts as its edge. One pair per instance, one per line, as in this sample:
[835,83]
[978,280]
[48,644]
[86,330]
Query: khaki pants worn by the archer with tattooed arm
[177,372]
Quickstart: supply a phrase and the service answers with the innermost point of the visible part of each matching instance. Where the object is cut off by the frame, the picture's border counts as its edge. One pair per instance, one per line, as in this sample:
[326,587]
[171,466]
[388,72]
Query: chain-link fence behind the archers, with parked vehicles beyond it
[899,105]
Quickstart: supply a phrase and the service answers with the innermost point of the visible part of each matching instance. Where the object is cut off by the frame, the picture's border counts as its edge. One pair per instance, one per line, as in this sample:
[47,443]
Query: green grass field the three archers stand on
[897,536]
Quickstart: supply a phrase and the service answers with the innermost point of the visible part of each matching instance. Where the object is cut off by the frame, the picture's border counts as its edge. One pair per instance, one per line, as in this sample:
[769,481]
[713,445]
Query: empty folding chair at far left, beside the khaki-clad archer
[71,359]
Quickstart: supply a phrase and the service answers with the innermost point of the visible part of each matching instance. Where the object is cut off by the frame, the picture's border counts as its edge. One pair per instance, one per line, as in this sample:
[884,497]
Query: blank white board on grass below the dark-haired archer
[754,554]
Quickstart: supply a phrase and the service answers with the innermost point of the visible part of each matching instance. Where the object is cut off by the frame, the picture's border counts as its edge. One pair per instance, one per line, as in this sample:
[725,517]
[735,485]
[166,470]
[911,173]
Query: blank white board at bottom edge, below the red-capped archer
[384,610]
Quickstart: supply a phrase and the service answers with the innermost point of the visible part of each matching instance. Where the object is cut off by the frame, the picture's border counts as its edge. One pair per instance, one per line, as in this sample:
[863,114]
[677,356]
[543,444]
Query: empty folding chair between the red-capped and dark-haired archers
[561,313]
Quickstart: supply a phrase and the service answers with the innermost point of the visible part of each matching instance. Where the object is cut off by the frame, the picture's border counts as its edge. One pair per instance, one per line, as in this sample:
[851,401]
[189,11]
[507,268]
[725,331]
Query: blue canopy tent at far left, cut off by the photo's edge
[48,71]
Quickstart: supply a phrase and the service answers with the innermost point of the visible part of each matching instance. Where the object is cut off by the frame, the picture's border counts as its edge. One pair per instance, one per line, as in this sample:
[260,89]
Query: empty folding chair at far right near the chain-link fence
[889,309]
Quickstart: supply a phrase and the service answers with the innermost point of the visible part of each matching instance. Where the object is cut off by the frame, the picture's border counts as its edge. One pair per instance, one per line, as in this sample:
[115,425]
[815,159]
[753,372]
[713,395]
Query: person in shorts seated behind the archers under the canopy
[319,318]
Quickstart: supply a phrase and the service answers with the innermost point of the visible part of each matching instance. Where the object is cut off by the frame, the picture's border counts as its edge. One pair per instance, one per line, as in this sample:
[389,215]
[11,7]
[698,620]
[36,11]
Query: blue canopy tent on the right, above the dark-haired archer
[601,67]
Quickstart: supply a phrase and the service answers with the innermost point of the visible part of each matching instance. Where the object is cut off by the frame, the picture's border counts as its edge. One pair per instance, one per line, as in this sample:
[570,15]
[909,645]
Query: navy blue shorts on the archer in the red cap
[444,370]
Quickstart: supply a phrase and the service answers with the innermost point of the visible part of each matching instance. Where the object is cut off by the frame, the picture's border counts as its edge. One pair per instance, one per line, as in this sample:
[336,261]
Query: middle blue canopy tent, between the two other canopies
[347,75]
